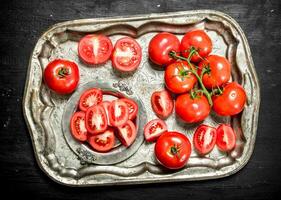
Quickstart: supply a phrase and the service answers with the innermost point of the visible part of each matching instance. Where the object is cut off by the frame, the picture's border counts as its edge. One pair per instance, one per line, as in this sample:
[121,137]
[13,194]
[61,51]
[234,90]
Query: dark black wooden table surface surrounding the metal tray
[22,22]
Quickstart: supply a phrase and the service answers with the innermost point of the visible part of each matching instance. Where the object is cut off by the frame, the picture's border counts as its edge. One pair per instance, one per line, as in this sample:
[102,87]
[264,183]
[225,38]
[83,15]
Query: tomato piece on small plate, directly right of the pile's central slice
[118,113]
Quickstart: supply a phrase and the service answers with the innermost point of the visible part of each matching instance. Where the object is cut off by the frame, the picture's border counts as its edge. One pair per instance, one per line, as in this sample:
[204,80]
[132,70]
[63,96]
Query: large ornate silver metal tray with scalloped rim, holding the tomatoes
[43,110]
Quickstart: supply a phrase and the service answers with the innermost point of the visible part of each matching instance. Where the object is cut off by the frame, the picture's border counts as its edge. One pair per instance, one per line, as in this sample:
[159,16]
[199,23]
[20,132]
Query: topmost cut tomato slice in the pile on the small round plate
[90,98]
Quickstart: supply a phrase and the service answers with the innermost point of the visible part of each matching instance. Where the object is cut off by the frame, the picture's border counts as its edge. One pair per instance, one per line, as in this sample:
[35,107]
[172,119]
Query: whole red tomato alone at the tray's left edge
[61,76]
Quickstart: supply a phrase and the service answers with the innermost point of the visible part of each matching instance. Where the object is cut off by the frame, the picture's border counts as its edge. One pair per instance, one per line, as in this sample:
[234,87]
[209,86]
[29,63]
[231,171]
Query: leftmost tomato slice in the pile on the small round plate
[77,126]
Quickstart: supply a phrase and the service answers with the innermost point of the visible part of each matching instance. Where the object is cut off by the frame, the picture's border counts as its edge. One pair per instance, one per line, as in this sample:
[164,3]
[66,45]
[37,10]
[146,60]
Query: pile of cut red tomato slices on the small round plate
[99,121]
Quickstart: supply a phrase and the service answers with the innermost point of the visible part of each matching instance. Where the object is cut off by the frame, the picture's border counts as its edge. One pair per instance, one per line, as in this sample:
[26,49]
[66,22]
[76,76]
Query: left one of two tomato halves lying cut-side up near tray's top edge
[95,49]
